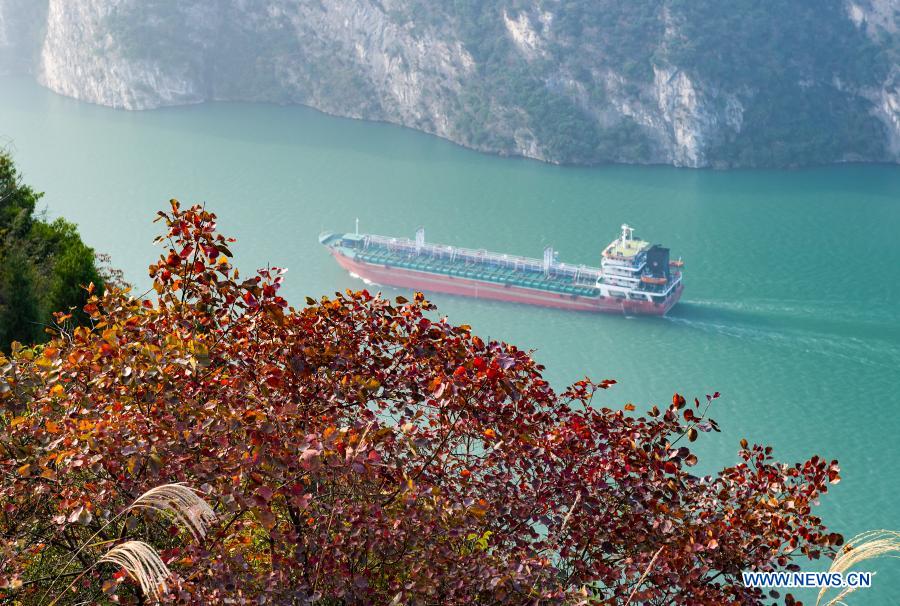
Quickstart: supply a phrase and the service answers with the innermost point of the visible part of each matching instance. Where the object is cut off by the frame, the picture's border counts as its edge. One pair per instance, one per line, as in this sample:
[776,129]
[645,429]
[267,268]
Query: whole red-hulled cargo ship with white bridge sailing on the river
[634,277]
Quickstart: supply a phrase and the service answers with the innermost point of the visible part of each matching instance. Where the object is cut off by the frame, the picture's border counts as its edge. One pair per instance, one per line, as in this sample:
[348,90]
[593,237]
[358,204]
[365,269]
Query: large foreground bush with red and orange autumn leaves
[363,451]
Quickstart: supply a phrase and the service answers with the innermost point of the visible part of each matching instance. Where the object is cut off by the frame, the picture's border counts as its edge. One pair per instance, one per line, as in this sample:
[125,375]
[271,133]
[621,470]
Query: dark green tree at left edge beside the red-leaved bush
[44,266]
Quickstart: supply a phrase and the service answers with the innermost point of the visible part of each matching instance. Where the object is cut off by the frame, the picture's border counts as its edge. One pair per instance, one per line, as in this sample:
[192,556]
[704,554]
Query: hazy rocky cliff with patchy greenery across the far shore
[686,82]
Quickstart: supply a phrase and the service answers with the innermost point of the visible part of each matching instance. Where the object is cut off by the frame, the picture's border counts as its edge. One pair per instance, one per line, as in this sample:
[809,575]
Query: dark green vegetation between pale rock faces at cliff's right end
[796,66]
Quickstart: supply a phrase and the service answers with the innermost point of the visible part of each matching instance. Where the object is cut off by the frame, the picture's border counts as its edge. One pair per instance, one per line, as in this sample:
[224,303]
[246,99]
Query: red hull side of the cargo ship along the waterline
[428,282]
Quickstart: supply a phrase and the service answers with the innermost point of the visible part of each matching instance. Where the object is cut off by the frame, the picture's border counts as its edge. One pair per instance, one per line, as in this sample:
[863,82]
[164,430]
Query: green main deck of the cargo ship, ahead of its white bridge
[475,271]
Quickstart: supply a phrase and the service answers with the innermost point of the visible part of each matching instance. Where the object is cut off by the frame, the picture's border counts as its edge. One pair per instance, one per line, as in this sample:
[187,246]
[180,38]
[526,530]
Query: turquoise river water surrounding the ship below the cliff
[792,278]
